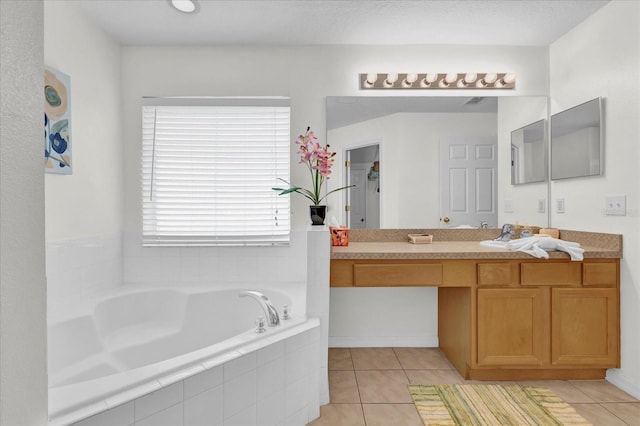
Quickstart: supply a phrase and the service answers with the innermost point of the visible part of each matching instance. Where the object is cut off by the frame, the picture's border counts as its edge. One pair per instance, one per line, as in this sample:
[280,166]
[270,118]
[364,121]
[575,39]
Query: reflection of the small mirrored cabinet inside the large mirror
[528,159]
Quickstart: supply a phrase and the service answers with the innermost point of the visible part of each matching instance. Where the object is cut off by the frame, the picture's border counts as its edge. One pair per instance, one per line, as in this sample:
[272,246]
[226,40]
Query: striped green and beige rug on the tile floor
[492,405]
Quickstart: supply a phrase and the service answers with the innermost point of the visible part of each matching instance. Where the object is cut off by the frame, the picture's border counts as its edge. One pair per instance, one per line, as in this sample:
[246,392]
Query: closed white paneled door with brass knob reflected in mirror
[468,182]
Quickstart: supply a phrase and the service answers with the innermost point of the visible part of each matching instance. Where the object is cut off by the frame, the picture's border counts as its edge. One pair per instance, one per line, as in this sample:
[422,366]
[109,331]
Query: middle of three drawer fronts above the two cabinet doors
[551,273]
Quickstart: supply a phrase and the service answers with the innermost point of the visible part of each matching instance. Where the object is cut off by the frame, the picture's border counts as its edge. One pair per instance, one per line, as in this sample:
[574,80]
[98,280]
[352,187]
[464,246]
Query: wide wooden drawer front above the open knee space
[389,275]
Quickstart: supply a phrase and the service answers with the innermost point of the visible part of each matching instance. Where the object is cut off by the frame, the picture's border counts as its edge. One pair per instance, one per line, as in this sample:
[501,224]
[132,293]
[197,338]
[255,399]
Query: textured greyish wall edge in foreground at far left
[23,338]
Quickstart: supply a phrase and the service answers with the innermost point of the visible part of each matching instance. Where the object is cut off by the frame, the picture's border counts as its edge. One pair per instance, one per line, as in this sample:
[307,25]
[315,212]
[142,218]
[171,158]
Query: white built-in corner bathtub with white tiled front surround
[181,357]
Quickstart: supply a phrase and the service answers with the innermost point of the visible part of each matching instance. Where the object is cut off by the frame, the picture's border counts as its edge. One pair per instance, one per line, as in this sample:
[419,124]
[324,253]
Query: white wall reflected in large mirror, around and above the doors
[409,160]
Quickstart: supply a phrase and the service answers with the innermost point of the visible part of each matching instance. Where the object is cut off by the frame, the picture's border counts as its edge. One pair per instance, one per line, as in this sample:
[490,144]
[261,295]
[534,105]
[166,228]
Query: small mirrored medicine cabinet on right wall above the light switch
[576,141]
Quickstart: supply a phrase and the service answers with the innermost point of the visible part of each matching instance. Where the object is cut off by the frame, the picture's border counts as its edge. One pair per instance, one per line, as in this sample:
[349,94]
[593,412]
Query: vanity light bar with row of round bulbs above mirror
[438,81]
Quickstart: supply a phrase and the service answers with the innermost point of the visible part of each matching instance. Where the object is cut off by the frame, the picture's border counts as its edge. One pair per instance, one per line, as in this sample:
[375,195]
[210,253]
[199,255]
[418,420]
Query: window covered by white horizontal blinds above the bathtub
[208,166]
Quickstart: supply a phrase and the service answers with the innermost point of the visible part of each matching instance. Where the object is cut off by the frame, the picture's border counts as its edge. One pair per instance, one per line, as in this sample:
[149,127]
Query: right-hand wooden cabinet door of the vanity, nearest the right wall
[584,327]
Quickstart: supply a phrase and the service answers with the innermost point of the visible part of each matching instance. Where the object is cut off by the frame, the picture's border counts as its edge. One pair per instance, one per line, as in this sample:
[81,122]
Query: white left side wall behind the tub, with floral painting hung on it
[84,210]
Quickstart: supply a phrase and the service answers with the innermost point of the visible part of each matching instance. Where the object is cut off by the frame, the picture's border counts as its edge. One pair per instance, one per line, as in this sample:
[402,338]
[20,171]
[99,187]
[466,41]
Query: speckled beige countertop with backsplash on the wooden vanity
[394,245]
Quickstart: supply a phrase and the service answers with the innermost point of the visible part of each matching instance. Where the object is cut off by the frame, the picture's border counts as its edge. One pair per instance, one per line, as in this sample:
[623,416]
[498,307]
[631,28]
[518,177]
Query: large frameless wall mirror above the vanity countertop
[409,130]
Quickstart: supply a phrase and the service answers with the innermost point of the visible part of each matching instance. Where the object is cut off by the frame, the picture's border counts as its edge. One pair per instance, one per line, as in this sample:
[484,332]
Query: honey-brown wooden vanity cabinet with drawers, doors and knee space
[512,319]
